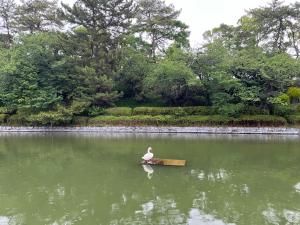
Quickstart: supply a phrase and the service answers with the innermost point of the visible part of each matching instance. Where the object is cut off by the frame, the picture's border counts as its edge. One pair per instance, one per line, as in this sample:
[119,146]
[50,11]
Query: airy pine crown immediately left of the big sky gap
[158,23]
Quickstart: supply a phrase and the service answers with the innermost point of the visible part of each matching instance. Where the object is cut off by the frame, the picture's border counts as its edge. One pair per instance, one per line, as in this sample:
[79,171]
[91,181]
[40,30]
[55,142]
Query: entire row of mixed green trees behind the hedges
[97,52]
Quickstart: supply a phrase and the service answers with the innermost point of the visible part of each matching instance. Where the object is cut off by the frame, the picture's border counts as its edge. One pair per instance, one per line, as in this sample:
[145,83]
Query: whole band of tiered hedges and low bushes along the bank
[145,116]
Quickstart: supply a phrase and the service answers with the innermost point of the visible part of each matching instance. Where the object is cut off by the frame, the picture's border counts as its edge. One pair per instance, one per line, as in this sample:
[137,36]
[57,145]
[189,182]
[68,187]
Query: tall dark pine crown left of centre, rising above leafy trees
[104,21]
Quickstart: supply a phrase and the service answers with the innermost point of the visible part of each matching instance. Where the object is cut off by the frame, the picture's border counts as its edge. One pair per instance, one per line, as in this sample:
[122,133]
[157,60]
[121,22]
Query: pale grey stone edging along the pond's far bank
[186,130]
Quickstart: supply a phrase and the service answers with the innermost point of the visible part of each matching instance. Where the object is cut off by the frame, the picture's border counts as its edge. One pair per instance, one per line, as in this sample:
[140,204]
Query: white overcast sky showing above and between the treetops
[203,15]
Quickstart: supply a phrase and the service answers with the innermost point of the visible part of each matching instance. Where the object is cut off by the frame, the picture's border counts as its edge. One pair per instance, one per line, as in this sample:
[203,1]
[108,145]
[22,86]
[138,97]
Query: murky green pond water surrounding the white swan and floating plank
[64,179]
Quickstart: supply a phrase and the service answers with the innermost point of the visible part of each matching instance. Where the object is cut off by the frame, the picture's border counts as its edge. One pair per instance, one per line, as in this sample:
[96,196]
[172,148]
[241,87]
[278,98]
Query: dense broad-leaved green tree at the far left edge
[26,76]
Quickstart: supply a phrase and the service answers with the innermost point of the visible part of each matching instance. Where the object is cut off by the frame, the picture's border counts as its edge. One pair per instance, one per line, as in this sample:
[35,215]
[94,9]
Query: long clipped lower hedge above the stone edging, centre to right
[167,120]
